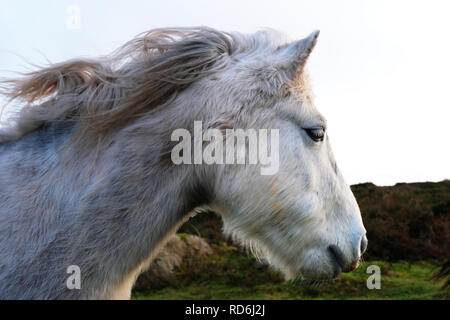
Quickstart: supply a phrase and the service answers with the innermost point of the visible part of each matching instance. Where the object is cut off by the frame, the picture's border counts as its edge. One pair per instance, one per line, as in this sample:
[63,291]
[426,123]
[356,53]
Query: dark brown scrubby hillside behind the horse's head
[408,221]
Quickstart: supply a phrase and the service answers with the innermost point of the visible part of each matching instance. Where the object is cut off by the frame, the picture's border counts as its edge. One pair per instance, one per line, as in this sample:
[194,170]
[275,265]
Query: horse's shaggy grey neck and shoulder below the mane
[115,206]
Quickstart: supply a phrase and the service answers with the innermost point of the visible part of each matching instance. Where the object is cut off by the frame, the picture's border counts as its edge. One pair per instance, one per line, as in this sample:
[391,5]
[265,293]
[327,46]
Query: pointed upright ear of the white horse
[293,56]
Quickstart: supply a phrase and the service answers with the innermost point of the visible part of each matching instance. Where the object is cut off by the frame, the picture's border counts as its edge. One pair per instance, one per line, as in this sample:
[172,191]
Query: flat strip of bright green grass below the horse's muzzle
[398,281]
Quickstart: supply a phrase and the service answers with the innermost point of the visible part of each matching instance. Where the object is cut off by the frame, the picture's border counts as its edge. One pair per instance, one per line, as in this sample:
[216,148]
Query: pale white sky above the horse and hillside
[380,69]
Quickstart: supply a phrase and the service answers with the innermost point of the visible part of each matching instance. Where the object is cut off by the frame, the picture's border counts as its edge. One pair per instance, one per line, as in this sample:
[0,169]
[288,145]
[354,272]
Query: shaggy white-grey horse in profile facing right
[88,185]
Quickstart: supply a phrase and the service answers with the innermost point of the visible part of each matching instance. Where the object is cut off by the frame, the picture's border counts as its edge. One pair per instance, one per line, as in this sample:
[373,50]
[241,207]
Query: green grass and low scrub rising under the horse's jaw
[236,278]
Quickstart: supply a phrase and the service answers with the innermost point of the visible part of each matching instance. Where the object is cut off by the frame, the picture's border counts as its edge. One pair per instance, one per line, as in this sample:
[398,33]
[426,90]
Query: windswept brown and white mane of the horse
[99,94]
